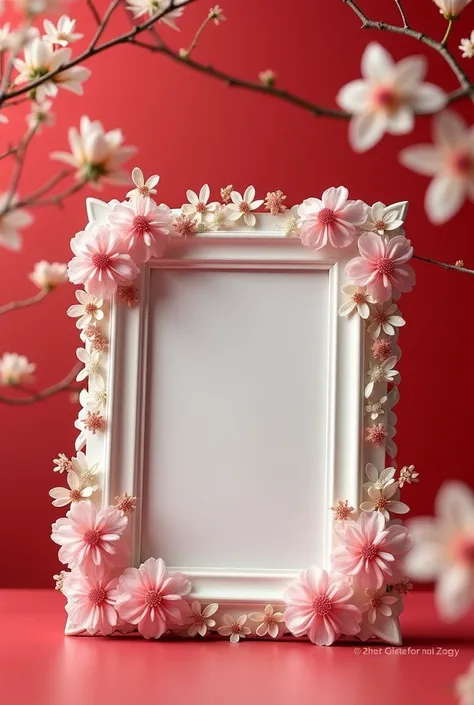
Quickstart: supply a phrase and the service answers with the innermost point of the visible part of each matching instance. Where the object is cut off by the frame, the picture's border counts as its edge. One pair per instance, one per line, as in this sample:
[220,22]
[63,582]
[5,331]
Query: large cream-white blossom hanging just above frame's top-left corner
[97,155]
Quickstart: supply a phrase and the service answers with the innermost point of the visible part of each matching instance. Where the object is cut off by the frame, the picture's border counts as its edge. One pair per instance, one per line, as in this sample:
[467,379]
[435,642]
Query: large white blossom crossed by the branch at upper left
[39,59]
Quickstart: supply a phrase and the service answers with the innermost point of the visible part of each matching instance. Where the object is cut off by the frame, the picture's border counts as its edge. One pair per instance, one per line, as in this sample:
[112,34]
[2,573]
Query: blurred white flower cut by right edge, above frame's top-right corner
[450,161]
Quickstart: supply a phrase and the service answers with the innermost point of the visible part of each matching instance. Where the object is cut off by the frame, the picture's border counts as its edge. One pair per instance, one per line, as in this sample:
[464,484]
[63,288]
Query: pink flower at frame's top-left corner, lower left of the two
[101,261]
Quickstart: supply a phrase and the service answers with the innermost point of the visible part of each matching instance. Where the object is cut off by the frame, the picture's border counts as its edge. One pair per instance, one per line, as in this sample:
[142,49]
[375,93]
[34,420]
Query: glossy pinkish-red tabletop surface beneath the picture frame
[40,666]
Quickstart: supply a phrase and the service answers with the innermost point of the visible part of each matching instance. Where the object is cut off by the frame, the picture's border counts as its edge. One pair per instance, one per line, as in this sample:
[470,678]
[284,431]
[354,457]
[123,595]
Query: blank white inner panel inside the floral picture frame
[235,449]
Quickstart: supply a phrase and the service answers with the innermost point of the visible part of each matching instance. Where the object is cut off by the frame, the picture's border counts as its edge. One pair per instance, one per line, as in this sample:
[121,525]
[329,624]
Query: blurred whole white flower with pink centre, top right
[387,97]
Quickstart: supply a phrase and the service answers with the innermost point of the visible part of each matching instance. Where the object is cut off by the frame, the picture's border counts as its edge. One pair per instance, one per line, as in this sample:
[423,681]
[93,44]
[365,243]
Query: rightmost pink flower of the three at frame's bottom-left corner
[152,598]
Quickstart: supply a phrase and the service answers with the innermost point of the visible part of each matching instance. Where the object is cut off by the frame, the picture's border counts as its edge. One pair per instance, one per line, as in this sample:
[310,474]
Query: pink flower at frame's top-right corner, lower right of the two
[382,266]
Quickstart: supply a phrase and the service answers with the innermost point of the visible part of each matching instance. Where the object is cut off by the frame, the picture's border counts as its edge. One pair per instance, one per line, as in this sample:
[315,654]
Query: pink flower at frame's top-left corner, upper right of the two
[143,226]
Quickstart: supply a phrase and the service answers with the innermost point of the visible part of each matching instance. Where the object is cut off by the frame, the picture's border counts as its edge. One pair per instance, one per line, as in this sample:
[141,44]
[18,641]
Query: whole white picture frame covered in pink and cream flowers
[241,384]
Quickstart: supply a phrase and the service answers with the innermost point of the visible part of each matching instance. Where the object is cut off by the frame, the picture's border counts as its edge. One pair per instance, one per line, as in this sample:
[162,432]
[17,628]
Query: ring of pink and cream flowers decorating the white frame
[362,595]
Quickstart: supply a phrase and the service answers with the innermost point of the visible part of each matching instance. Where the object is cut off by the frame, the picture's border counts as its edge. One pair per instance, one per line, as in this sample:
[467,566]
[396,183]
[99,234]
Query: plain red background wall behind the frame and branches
[191,130]
